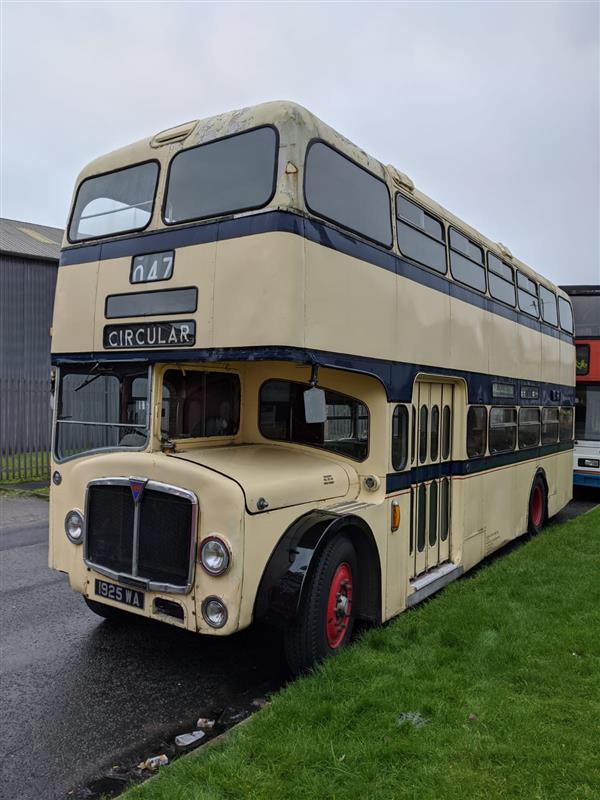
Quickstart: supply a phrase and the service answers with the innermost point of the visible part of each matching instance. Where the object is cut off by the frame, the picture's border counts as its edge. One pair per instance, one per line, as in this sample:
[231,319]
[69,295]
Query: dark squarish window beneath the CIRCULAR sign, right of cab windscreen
[197,404]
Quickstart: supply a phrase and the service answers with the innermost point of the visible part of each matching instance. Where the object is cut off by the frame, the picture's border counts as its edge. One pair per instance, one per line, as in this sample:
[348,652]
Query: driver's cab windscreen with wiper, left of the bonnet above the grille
[100,407]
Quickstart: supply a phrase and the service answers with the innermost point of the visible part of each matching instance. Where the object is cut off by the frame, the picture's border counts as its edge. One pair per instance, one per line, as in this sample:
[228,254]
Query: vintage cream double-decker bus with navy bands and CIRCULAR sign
[291,387]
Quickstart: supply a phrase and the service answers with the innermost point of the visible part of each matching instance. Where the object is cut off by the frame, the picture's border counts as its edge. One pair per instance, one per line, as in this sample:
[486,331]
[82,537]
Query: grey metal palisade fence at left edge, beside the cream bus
[25,429]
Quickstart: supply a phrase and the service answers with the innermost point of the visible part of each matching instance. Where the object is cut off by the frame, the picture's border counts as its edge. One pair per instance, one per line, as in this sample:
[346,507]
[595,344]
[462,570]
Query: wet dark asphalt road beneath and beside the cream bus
[80,696]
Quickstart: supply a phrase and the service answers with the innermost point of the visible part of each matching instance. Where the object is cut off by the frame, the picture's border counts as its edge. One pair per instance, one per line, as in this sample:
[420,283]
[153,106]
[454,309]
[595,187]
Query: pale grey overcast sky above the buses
[491,108]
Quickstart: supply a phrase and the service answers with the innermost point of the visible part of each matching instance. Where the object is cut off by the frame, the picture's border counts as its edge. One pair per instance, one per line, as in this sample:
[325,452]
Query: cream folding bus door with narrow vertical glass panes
[431,490]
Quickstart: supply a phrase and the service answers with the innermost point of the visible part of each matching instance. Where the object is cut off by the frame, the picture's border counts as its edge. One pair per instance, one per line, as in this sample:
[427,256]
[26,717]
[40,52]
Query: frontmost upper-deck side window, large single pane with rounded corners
[339,190]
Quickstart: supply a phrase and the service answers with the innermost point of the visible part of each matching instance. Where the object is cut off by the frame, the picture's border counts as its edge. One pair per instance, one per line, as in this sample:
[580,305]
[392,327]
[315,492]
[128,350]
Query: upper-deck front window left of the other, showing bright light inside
[116,202]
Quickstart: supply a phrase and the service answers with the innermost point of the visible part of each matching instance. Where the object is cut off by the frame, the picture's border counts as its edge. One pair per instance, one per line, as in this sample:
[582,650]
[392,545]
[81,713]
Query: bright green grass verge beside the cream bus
[503,666]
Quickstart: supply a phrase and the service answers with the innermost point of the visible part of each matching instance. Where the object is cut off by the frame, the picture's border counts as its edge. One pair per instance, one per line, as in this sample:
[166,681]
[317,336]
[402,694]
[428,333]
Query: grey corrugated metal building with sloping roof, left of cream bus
[28,264]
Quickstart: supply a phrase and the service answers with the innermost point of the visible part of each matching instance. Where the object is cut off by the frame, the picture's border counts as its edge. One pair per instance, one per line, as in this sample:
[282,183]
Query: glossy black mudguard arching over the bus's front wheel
[289,567]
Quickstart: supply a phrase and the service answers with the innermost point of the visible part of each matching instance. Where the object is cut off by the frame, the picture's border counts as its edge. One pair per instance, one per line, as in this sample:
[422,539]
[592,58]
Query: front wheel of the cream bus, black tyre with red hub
[327,612]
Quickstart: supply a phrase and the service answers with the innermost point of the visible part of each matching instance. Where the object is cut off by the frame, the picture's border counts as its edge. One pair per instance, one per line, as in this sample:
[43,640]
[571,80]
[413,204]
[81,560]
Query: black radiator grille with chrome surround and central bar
[151,545]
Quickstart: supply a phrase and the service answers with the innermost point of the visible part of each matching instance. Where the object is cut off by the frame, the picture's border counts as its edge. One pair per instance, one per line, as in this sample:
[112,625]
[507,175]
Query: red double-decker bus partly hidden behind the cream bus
[586,454]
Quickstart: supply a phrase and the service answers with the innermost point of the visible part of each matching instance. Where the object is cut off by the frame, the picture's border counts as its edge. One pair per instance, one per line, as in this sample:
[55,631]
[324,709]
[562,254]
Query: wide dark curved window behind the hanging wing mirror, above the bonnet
[281,417]
